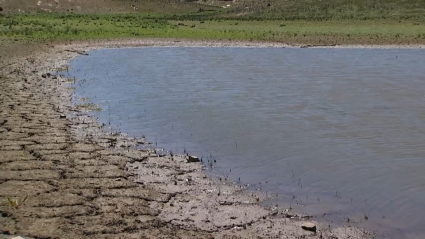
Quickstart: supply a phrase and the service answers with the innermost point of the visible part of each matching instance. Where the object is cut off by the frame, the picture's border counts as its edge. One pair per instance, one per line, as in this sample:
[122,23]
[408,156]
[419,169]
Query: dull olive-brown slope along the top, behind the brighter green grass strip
[247,9]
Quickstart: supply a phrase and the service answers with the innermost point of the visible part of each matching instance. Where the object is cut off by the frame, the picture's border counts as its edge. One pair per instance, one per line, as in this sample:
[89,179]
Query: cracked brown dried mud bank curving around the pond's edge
[84,181]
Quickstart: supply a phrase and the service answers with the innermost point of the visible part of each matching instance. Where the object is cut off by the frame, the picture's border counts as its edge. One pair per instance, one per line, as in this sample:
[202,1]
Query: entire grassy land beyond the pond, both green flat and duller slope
[317,22]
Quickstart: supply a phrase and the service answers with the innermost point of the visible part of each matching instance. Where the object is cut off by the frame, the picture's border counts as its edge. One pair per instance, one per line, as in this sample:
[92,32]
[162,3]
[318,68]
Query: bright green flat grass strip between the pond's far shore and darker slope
[61,26]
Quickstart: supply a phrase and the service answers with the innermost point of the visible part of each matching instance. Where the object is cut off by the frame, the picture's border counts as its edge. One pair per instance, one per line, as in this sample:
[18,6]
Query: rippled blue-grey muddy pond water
[335,131]
